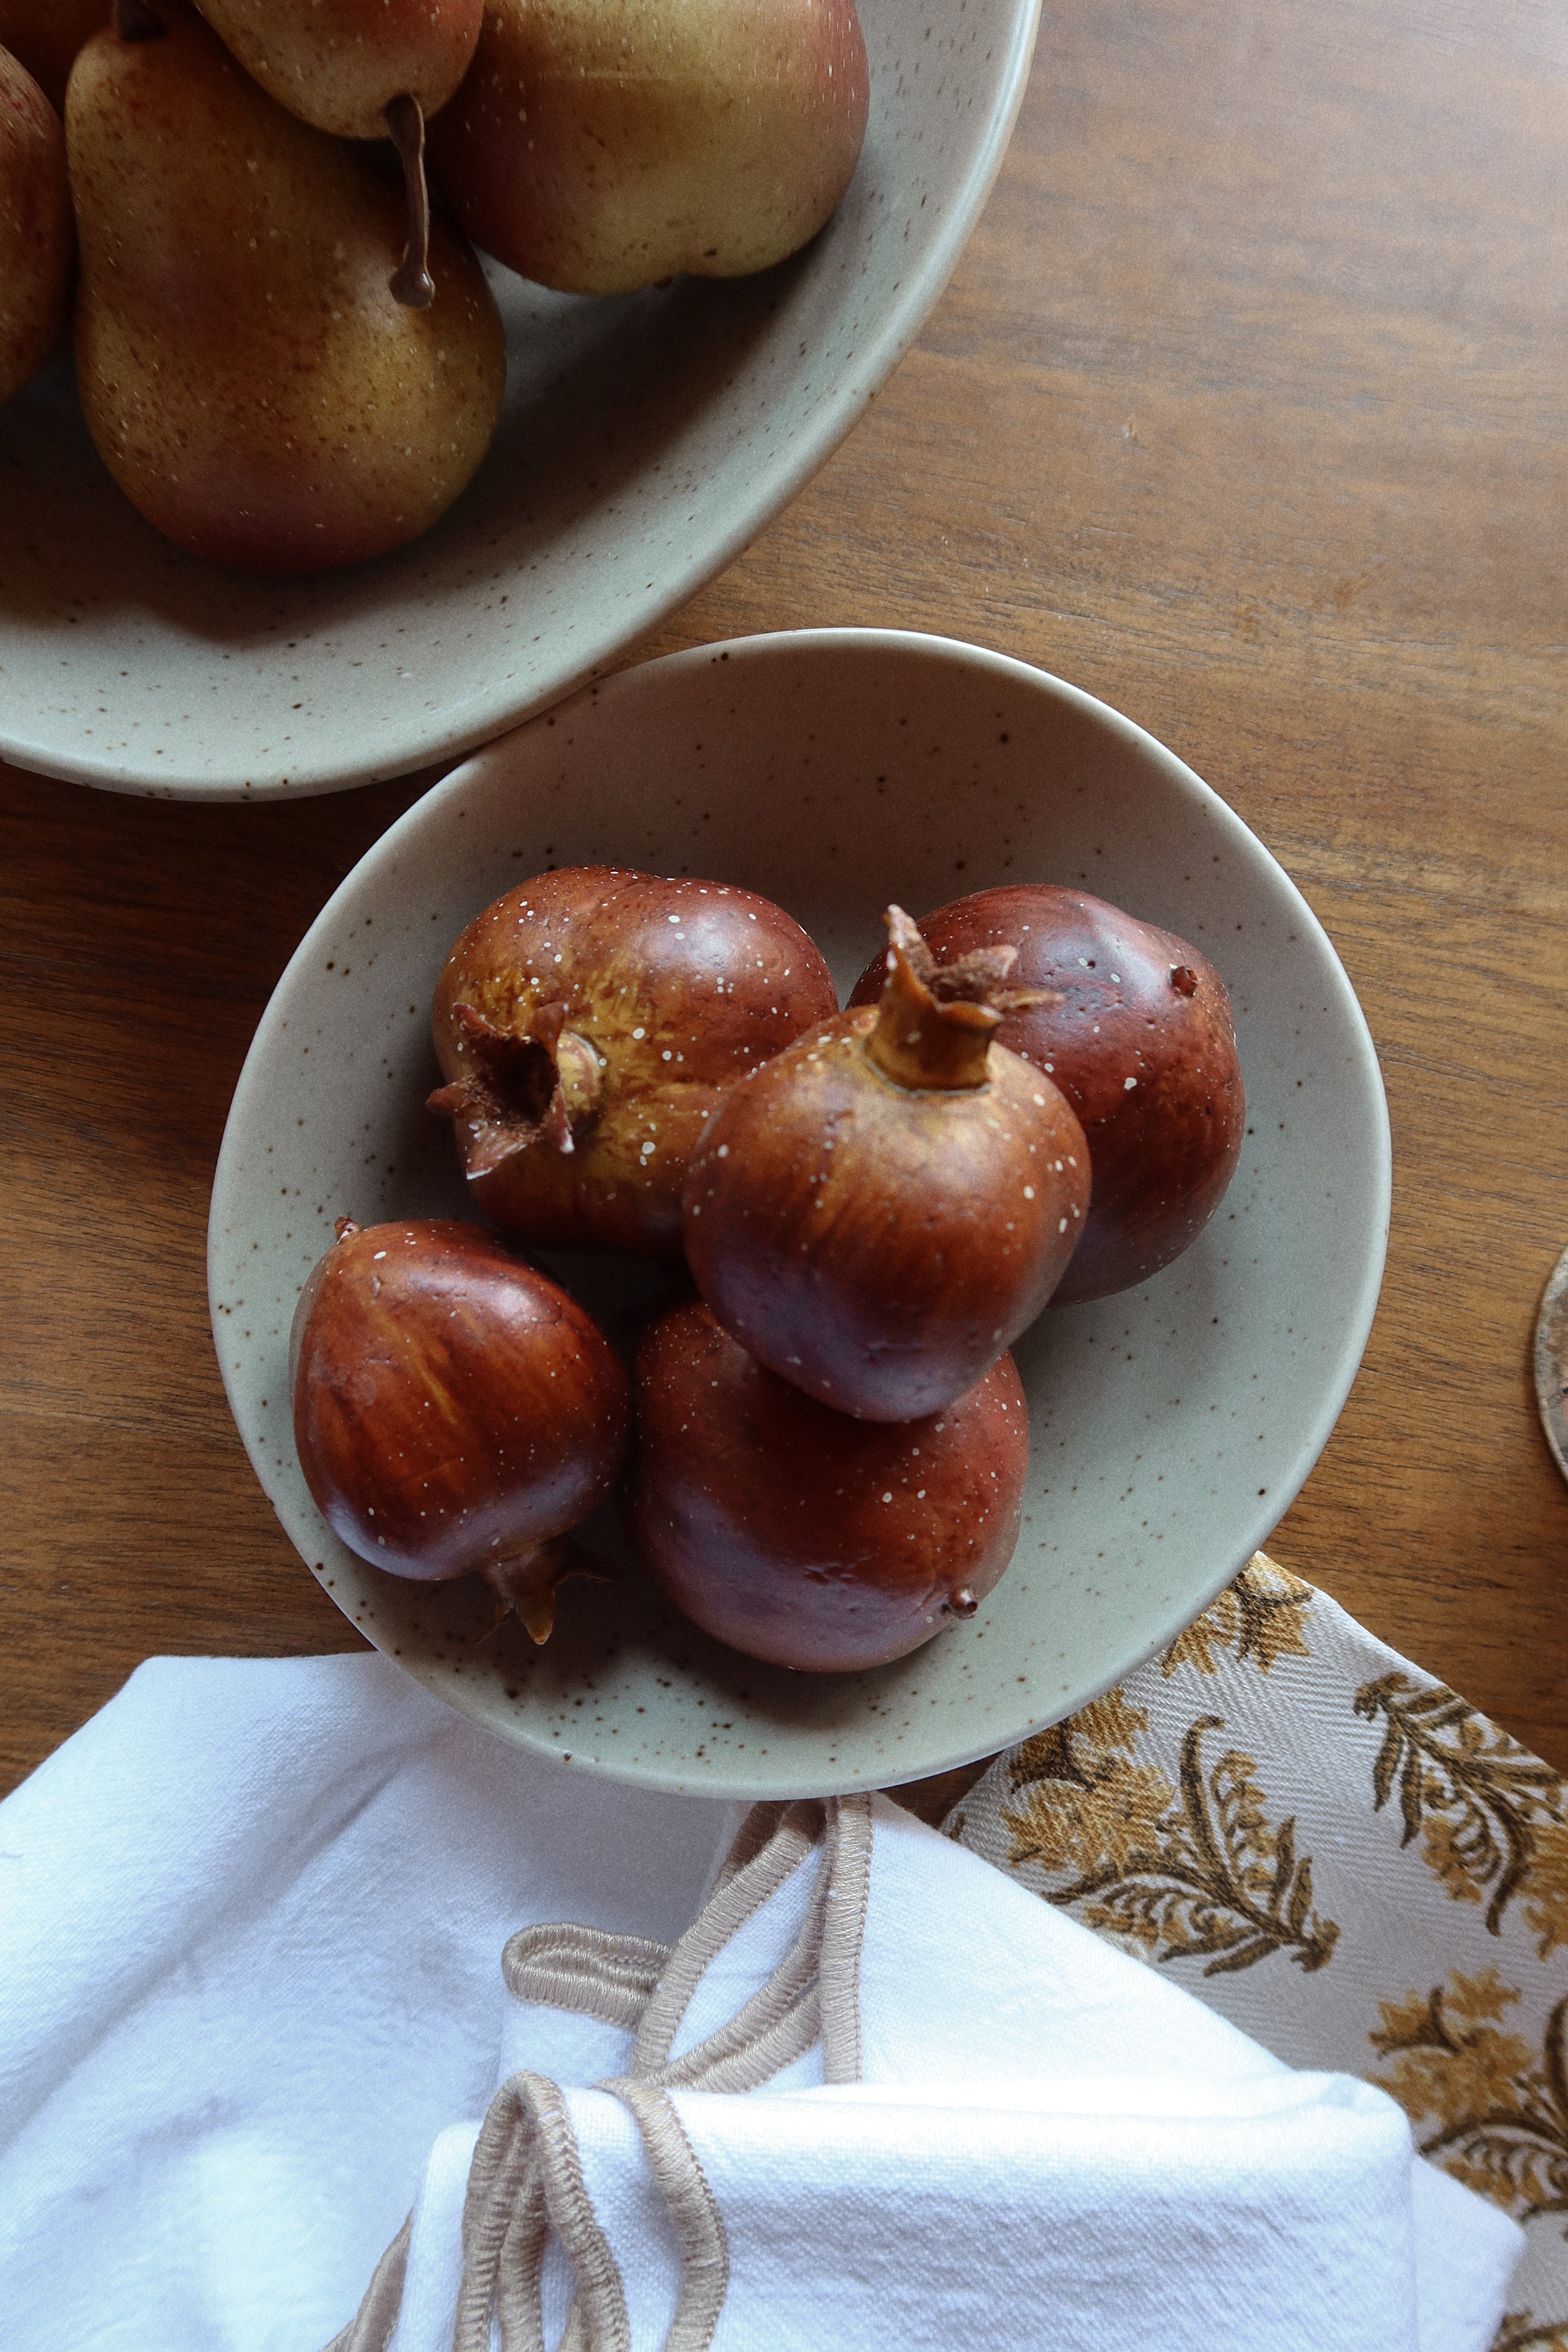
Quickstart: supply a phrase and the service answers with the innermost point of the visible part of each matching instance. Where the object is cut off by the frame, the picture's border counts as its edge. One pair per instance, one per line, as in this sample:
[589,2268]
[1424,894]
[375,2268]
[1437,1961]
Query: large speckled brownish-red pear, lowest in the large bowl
[243,368]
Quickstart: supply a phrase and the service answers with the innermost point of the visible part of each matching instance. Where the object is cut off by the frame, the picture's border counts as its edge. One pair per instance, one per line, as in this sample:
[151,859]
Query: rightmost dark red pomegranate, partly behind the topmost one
[1144,1048]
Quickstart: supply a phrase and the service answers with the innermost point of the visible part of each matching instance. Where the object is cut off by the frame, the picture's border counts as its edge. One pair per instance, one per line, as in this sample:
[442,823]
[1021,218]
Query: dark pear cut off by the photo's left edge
[36,232]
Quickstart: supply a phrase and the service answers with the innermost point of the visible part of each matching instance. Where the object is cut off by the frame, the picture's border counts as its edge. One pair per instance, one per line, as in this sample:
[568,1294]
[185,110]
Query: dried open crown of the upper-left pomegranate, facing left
[523,1088]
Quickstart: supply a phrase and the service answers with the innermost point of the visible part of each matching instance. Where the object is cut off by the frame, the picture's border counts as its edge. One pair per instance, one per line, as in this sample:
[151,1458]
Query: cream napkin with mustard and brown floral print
[1343,1859]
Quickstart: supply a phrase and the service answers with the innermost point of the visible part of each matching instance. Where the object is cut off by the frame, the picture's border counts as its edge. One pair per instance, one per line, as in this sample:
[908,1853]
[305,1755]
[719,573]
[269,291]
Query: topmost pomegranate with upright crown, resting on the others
[883,1208]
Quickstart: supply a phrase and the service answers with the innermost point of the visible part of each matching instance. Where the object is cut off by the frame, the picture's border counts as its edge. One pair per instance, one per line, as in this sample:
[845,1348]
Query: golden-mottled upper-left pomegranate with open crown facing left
[589,1022]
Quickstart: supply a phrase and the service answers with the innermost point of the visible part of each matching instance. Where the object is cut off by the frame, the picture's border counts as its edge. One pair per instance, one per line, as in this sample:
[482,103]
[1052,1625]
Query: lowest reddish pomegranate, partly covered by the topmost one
[798,1535]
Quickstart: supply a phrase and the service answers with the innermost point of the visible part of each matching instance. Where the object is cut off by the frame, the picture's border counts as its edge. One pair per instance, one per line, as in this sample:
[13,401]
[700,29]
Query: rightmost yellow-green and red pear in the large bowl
[610,145]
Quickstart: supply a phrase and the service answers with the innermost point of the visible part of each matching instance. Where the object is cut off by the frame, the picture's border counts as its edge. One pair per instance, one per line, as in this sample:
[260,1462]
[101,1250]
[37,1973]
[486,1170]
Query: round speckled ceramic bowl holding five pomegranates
[833,773]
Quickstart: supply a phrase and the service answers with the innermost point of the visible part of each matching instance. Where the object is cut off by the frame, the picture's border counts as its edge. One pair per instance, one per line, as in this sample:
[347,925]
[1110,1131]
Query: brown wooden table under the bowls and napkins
[1247,413]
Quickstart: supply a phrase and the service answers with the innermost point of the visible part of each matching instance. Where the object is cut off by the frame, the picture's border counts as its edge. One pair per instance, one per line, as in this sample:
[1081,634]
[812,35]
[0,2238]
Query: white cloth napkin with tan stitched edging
[253,2012]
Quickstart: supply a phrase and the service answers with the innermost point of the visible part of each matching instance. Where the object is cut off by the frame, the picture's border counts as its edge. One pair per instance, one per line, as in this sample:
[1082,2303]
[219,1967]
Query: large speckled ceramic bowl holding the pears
[645,441]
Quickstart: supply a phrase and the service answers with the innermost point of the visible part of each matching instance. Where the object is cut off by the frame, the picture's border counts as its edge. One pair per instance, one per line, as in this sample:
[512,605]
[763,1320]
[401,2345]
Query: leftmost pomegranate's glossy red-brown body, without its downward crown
[453,1405]
